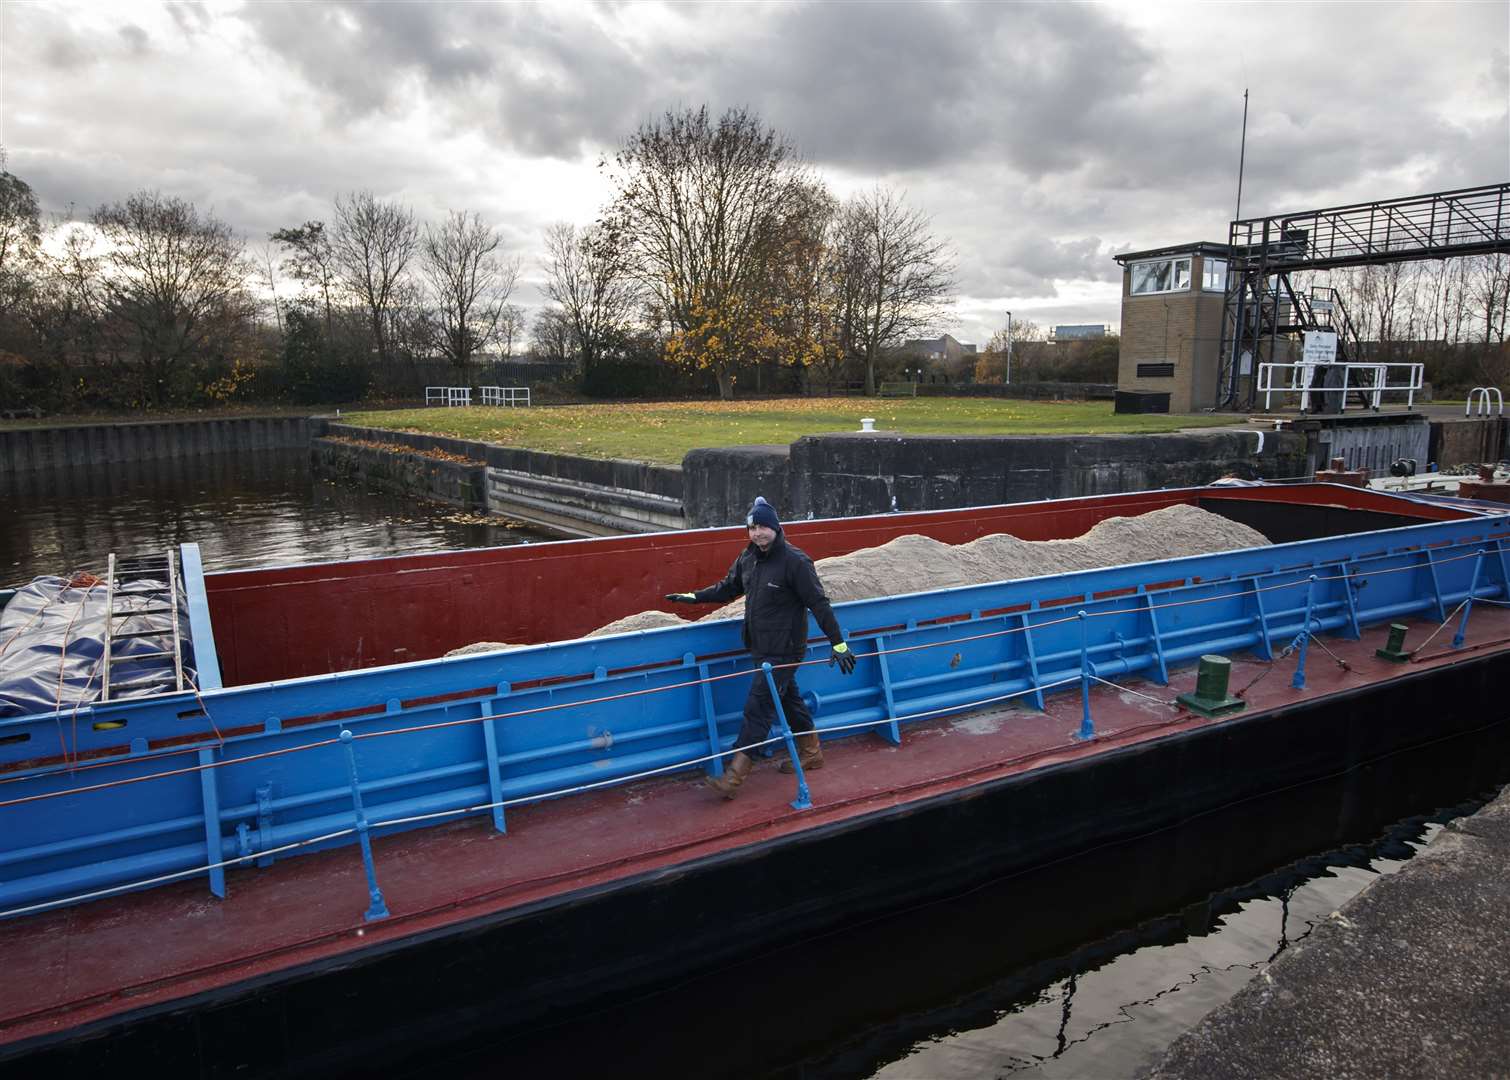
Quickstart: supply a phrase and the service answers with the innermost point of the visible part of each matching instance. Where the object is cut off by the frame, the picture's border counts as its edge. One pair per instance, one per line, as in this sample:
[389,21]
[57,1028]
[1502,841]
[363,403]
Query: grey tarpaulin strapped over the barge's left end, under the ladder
[52,646]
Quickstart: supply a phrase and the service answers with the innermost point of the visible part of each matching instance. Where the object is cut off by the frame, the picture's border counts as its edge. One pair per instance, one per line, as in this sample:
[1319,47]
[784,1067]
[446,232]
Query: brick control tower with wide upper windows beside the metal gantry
[1173,309]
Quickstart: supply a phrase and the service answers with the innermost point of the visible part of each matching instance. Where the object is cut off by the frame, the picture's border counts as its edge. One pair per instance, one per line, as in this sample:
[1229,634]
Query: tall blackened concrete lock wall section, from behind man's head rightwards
[872,474]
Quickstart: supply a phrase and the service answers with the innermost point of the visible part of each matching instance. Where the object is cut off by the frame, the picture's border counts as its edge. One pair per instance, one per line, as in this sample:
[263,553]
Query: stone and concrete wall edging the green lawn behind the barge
[818,477]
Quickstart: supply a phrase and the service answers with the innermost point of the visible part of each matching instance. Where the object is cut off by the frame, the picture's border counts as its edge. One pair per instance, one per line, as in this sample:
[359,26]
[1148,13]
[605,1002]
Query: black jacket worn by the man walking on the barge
[780,588]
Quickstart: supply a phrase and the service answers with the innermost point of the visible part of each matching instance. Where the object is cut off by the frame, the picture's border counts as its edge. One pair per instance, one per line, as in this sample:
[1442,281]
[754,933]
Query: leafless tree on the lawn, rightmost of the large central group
[902,276]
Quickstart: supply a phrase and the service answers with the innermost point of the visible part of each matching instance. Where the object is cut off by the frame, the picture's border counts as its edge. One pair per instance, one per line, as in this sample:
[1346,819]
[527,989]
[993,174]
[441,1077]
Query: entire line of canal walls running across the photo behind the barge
[834,475]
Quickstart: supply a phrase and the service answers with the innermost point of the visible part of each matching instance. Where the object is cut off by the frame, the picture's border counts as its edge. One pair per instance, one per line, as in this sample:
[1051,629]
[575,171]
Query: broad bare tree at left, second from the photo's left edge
[174,286]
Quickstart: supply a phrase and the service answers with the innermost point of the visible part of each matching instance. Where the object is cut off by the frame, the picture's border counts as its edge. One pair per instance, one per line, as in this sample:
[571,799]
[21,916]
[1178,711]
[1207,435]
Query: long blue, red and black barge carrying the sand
[339,848]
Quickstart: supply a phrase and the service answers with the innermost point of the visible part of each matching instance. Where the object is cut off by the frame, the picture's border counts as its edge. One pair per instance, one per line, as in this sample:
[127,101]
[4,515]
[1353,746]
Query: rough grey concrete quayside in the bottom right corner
[1410,980]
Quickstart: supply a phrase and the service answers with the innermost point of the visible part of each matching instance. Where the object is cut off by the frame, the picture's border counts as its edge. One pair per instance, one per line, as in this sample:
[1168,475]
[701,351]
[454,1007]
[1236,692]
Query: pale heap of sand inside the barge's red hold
[919,564]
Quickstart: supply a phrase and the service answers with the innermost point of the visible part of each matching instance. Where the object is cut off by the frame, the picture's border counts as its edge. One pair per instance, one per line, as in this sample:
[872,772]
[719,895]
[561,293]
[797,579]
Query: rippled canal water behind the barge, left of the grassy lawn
[248,510]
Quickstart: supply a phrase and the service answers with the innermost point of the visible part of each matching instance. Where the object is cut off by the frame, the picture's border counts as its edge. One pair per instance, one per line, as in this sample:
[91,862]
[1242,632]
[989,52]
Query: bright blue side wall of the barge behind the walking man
[137,792]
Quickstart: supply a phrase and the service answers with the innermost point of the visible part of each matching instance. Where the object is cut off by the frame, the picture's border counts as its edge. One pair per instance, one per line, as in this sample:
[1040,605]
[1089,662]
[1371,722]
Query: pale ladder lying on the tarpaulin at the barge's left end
[143,609]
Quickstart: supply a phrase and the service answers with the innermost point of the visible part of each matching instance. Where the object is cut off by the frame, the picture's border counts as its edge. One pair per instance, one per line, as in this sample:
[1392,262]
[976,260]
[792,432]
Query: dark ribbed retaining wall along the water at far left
[25,449]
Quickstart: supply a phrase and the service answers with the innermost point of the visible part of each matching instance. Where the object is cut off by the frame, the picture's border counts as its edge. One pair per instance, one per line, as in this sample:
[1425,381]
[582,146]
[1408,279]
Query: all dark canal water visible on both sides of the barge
[1088,969]
